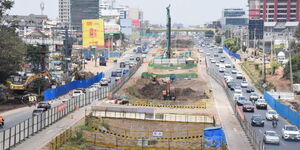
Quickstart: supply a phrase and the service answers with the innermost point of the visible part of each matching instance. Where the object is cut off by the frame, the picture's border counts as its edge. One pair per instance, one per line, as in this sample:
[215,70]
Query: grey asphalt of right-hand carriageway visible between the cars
[284,145]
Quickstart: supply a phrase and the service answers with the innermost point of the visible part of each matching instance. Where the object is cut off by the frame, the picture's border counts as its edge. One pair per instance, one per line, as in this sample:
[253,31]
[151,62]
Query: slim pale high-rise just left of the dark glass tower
[64,12]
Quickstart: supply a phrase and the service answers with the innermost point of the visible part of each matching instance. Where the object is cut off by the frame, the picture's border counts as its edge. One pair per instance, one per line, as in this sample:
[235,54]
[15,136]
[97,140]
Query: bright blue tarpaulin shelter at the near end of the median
[214,137]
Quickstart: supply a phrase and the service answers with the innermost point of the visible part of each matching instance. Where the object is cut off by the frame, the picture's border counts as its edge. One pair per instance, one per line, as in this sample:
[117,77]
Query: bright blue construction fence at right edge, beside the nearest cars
[283,110]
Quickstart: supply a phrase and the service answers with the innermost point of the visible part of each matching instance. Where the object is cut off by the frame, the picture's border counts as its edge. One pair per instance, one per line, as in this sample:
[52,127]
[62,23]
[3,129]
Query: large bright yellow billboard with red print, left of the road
[93,32]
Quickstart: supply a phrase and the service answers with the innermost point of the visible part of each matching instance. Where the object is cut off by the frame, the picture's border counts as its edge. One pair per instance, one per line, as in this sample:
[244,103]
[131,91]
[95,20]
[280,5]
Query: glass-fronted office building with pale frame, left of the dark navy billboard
[234,16]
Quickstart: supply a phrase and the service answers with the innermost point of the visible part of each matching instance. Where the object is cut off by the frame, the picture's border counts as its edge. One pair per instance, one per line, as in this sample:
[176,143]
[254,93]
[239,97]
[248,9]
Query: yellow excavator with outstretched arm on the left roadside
[22,86]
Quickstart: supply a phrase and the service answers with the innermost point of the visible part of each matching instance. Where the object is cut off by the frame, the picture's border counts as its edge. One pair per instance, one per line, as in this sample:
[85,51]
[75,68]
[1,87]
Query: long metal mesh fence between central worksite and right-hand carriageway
[251,134]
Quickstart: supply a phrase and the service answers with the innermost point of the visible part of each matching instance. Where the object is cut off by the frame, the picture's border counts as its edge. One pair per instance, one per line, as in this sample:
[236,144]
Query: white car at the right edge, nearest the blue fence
[290,132]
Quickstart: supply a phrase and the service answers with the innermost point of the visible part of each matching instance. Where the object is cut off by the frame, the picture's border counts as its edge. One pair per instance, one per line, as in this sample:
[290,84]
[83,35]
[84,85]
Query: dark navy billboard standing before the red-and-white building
[256,29]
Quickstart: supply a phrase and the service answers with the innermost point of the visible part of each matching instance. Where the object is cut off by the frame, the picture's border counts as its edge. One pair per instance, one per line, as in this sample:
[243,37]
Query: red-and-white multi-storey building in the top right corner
[275,10]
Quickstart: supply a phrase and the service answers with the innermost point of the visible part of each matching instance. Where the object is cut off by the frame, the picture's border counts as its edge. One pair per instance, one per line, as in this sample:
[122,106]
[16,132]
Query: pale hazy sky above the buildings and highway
[188,12]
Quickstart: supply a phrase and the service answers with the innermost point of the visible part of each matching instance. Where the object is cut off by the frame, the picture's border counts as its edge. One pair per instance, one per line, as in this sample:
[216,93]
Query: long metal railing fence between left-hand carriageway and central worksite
[21,131]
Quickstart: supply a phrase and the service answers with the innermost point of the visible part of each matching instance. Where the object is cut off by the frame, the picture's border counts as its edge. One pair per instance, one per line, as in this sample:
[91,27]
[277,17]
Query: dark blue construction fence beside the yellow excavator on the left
[64,89]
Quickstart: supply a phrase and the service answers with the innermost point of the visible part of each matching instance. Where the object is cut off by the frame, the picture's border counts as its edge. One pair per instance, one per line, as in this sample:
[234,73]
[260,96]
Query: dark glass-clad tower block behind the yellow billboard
[80,10]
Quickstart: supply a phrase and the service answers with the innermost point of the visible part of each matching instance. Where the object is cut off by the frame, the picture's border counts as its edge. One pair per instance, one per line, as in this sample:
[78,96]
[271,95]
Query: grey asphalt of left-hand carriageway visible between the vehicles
[20,116]
